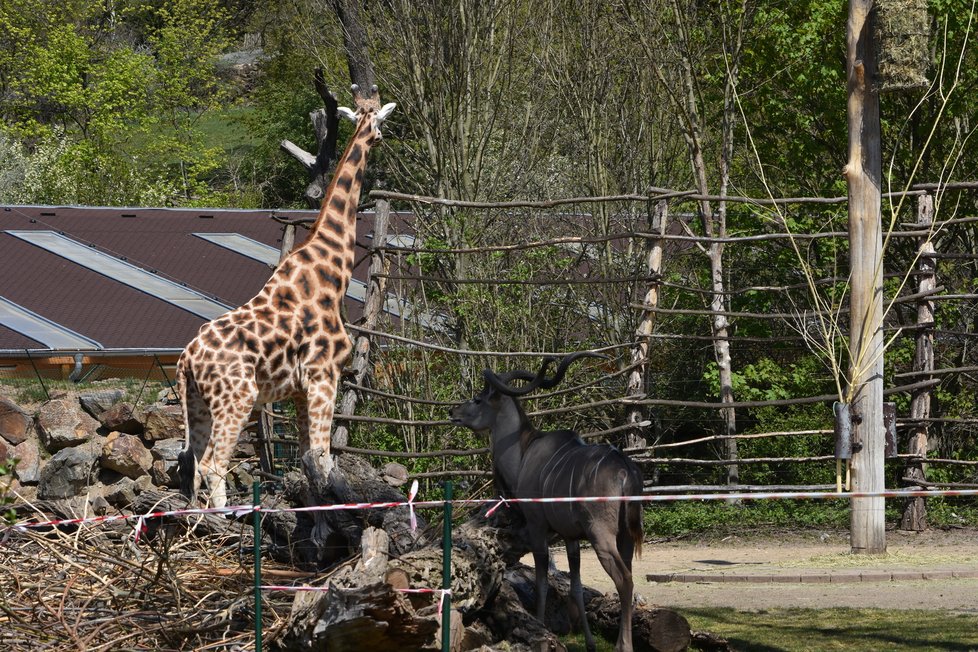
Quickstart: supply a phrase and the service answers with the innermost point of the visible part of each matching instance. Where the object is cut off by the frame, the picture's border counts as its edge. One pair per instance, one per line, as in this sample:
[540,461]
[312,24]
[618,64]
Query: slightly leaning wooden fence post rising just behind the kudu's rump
[640,354]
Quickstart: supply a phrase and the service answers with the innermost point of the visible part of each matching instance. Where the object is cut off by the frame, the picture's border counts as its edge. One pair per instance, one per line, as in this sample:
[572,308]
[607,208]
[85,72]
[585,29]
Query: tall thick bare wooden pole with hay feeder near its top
[863,173]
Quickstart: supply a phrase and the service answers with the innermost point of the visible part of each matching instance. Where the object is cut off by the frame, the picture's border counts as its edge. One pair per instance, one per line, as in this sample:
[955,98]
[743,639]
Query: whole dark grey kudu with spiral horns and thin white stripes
[528,463]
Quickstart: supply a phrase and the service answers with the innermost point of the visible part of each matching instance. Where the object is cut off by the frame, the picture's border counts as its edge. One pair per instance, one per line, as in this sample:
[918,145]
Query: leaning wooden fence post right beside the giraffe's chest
[373,306]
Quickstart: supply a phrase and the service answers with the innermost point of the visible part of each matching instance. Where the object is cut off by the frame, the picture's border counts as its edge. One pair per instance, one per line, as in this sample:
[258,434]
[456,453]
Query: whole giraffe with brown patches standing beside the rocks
[288,342]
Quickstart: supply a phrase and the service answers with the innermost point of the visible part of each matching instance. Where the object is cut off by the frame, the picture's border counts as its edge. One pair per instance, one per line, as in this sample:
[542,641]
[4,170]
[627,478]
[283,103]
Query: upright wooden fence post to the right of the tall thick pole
[915,511]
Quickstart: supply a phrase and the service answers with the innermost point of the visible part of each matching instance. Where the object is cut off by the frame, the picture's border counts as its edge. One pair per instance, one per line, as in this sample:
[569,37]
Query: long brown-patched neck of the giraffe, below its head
[338,214]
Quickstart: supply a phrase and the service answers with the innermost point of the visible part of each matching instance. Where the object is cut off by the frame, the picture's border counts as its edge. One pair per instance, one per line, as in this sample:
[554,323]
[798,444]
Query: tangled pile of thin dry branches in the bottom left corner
[96,588]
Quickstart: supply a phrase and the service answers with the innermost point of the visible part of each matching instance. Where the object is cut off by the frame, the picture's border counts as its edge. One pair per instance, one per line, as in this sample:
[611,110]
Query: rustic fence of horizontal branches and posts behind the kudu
[624,275]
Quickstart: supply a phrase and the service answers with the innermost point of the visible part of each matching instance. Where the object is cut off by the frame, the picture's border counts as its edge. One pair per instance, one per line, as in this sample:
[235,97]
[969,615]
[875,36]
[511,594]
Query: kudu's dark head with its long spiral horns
[498,396]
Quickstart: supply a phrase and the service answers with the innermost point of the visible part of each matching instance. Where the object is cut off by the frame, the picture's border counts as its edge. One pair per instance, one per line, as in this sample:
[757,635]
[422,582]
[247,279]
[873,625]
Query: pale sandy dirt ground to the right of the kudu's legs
[817,553]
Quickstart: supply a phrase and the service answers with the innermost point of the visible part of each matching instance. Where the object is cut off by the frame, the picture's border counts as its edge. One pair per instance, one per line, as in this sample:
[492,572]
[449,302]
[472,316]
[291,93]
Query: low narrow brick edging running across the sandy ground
[830,577]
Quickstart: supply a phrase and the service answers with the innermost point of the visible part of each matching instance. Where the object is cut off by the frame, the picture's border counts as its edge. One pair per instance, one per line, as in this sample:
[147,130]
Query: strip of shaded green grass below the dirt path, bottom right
[819,630]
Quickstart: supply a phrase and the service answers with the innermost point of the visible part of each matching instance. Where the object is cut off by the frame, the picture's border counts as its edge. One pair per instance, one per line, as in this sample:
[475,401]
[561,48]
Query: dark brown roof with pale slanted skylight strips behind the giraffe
[116,315]
